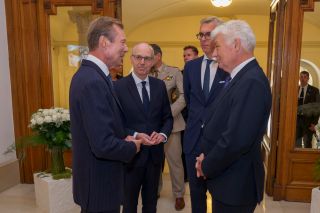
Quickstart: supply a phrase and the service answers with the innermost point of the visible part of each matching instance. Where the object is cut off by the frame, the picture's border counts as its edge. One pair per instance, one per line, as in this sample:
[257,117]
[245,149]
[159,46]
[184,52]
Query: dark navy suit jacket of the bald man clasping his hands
[158,118]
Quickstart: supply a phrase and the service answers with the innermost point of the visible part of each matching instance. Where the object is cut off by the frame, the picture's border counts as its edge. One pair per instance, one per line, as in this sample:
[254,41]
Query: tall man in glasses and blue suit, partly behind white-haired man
[202,81]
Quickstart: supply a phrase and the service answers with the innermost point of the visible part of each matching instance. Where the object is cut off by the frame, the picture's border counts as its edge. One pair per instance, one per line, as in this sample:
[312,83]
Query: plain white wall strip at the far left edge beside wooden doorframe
[6,117]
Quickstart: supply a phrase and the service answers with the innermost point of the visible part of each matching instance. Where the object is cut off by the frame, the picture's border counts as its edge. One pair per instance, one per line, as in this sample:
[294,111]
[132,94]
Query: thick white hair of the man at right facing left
[236,29]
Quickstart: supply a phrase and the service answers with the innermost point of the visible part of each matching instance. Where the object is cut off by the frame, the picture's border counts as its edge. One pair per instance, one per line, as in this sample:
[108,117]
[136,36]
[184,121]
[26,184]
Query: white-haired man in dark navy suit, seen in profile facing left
[231,159]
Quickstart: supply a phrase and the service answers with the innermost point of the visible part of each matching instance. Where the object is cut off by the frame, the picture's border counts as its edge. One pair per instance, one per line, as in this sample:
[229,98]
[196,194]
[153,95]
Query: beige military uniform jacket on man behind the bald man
[173,80]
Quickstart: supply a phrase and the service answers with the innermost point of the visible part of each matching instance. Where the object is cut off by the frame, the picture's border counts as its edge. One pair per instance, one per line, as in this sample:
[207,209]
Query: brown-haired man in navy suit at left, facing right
[98,146]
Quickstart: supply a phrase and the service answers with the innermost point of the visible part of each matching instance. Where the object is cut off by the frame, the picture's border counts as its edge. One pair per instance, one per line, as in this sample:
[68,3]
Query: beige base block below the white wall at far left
[9,173]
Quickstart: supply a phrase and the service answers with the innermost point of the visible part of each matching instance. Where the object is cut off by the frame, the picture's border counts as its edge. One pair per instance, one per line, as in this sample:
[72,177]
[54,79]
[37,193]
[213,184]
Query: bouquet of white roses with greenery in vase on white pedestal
[52,129]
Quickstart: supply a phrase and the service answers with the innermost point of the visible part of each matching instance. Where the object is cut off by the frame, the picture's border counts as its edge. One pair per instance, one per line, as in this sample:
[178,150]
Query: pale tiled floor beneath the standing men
[21,199]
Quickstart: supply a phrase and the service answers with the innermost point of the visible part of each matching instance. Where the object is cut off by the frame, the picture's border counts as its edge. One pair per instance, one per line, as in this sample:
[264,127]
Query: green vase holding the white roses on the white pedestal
[57,163]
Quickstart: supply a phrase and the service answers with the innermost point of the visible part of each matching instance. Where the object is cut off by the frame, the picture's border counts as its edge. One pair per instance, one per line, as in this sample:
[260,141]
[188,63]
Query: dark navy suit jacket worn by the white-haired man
[232,136]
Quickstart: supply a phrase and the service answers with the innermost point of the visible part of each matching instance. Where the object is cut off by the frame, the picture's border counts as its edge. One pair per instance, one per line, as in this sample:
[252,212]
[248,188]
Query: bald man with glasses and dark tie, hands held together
[148,117]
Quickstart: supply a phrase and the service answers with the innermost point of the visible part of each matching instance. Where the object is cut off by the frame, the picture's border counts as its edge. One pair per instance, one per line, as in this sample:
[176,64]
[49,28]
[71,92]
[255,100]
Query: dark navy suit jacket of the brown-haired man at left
[98,152]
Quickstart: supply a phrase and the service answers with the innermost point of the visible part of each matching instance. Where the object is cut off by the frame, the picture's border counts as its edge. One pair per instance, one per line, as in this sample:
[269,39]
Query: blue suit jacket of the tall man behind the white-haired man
[195,100]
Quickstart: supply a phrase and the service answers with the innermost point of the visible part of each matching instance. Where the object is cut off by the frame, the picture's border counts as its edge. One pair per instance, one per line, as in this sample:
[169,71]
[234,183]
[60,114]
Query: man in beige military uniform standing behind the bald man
[173,79]
